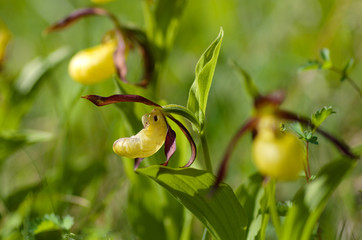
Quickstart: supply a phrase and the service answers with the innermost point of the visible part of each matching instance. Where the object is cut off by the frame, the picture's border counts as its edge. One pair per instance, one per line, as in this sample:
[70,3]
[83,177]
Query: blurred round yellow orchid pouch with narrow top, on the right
[277,154]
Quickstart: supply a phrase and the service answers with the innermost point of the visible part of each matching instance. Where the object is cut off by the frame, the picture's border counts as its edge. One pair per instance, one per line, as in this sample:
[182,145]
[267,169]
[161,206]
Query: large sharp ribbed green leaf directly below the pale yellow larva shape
[221,213]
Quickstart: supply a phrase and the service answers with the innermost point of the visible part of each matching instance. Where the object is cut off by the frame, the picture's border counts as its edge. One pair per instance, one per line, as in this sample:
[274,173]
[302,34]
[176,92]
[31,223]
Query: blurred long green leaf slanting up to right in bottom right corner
[310,200]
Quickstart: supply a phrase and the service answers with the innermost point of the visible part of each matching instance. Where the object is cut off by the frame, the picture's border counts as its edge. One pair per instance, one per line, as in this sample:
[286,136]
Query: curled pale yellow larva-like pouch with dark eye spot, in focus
[148,141]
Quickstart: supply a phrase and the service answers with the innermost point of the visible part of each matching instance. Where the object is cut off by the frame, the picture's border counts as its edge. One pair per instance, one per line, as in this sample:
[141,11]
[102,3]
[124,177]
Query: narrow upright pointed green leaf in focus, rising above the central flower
[204,73]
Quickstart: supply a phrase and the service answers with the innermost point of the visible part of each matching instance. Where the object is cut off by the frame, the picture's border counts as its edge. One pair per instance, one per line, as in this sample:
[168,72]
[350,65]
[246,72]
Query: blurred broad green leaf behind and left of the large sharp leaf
[147,208]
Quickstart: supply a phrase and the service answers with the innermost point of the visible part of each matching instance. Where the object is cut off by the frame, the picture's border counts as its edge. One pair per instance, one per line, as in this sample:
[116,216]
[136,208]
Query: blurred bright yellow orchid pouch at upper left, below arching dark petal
[94,64]
